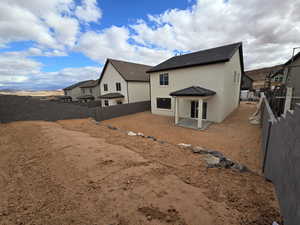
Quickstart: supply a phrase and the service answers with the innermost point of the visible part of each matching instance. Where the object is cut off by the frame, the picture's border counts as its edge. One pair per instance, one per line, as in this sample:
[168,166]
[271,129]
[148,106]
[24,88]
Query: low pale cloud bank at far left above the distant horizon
[18,71]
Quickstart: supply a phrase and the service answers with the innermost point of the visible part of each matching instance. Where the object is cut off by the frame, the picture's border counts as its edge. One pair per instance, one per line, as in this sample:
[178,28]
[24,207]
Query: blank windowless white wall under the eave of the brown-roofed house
[138,91]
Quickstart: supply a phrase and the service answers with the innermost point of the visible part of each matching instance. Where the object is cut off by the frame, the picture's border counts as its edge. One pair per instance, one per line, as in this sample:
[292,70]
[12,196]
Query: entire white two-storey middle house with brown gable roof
[123,82]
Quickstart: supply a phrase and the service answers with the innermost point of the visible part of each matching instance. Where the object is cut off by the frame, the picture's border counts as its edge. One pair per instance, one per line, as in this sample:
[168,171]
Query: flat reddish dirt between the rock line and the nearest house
[235,137]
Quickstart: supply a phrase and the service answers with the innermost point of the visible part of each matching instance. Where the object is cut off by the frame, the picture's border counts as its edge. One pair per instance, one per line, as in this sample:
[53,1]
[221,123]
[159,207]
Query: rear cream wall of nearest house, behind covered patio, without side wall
[210,77]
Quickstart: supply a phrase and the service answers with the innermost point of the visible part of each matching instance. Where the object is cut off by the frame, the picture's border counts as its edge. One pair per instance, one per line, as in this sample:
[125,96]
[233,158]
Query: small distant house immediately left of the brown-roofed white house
[89,91]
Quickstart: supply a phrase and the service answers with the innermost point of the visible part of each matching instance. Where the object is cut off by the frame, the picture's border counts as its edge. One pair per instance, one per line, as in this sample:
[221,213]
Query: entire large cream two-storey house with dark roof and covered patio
[198,87]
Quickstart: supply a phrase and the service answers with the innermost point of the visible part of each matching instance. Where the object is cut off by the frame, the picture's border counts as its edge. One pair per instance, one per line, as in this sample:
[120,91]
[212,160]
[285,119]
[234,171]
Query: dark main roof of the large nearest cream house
[204,57]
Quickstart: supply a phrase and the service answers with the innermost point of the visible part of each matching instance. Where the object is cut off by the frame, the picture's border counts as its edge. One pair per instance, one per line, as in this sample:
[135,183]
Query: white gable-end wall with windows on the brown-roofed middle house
[110,77]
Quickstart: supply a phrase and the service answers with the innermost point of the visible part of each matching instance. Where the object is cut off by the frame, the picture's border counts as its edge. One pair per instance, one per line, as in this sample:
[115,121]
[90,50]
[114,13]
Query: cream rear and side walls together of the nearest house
[217,77]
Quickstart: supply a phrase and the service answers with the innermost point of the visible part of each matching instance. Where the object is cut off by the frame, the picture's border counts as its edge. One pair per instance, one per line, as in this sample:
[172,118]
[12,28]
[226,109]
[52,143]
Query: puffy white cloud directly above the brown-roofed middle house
[114,42]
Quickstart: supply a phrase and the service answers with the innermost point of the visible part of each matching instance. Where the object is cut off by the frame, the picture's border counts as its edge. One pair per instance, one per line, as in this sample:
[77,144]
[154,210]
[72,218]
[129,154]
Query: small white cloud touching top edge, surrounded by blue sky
[88,11]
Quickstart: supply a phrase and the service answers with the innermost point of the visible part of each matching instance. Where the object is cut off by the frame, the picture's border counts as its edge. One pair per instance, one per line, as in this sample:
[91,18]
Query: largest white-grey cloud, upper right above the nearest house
[268,29]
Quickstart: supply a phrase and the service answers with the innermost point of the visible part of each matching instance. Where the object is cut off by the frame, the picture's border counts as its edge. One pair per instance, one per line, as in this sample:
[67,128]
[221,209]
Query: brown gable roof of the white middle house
[128,70]
